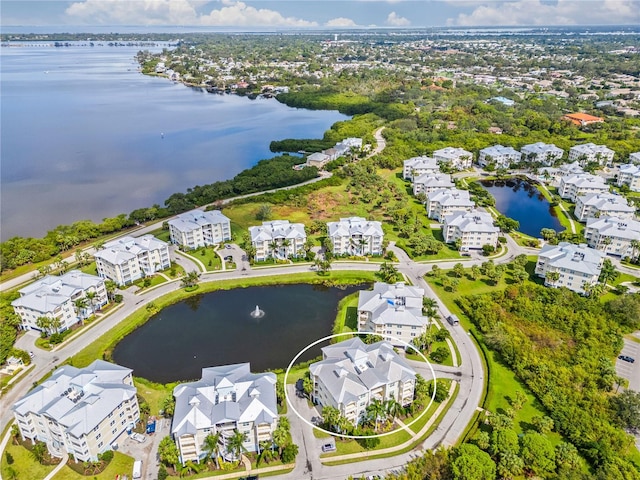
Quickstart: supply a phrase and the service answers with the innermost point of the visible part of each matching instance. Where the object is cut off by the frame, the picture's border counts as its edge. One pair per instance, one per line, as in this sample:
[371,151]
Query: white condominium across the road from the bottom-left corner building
[57,299]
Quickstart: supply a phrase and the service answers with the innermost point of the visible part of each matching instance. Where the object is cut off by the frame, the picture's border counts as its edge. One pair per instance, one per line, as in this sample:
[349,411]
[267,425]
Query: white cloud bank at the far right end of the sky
[541,12]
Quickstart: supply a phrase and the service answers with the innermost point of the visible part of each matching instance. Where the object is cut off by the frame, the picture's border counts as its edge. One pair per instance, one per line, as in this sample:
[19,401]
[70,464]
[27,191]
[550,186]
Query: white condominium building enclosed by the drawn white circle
[351,375]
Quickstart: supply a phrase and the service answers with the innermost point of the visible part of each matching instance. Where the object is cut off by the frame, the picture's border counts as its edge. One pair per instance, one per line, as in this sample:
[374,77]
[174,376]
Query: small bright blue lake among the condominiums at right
[521,200]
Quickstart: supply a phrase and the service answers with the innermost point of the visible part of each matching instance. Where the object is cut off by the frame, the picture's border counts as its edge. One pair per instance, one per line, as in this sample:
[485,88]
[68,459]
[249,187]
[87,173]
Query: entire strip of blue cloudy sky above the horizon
[315,14]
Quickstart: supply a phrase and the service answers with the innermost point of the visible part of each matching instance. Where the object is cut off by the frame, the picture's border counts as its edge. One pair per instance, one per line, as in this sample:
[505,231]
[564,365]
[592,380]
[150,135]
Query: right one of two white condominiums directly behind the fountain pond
[356,236]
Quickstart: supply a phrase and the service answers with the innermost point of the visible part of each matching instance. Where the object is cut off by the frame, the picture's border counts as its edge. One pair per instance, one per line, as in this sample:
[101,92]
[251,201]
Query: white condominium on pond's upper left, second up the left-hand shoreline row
[127,259]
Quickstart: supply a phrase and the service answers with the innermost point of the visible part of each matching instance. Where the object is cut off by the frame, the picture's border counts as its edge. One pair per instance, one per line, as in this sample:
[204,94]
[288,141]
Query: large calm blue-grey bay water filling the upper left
[81,136]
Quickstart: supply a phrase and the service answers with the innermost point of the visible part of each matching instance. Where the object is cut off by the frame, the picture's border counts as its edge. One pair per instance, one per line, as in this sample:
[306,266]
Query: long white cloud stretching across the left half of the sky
[179,12]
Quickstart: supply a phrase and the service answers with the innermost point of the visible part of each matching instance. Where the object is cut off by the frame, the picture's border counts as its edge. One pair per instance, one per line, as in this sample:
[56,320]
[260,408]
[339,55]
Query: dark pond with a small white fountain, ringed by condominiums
[217,329]
